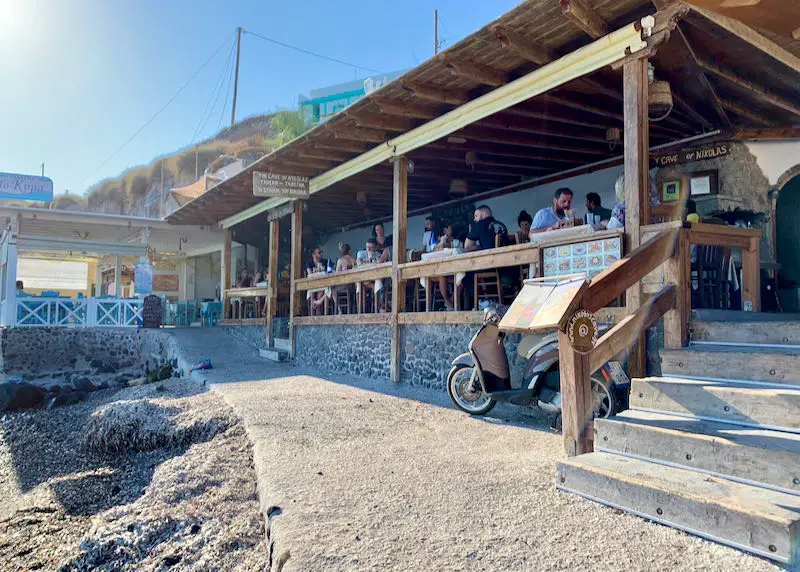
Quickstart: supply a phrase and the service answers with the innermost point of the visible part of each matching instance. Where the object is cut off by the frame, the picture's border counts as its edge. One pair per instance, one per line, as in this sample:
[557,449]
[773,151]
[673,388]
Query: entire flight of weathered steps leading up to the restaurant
[713,445]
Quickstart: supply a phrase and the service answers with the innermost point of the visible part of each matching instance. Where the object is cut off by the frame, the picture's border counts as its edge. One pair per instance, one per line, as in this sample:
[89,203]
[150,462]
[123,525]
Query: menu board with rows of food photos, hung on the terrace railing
[589,257]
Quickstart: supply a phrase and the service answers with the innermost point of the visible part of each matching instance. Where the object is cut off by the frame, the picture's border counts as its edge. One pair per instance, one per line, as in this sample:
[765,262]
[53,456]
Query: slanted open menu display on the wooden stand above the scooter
[543,304]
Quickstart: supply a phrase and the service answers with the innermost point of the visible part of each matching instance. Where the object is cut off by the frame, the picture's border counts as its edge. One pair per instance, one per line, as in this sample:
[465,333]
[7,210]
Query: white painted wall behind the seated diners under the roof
[505,208]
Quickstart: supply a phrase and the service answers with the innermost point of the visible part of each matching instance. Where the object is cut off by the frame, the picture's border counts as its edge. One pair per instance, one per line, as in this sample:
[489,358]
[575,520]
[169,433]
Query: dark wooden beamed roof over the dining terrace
[723,74]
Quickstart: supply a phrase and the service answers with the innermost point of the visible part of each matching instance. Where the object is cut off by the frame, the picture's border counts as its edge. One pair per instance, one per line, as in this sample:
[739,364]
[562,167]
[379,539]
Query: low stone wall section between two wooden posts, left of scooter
[363,350]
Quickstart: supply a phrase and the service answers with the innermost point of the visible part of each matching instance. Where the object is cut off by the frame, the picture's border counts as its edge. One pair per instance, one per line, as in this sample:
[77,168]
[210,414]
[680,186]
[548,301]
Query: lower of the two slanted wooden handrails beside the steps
[626,332]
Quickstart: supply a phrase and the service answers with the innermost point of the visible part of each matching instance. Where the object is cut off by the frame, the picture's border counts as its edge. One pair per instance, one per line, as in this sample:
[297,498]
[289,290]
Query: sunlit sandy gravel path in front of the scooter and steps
[368,480]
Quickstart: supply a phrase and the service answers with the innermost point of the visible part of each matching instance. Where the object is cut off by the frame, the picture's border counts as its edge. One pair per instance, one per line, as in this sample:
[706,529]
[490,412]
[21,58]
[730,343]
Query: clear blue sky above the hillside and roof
[79,77]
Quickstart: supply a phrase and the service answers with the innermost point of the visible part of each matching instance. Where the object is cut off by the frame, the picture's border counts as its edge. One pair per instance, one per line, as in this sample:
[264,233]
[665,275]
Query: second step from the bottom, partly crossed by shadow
[755,456]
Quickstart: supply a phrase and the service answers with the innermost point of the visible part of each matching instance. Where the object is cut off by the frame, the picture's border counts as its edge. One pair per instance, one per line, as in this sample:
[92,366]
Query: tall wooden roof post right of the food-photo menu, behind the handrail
[637,184]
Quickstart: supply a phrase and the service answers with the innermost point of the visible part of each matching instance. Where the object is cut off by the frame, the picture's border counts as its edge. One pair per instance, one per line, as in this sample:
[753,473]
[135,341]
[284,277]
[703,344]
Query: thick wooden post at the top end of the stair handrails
[677,270]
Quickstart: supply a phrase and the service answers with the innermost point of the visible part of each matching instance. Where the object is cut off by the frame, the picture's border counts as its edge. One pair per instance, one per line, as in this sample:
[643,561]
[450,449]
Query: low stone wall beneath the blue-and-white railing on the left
[40,352]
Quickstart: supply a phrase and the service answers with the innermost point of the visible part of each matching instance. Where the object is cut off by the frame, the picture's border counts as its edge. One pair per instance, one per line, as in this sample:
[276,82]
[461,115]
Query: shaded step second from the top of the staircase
[734,362]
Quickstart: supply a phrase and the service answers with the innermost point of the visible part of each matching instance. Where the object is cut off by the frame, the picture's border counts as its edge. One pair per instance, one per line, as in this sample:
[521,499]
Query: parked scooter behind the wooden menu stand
[480,378]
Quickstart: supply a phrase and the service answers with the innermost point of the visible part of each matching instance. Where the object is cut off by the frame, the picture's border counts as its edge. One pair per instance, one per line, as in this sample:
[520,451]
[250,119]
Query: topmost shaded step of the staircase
[757,329]
